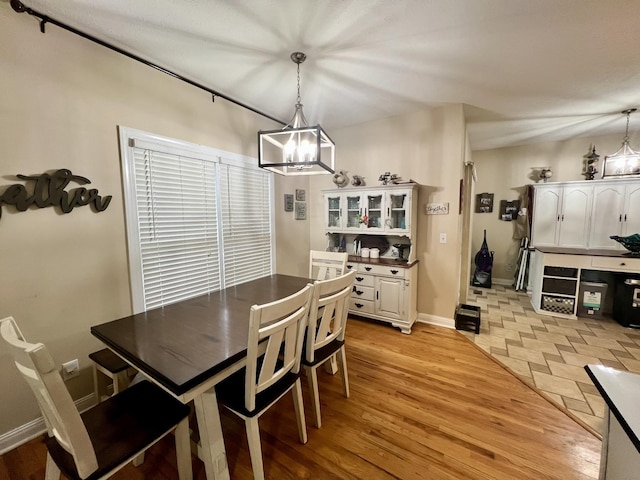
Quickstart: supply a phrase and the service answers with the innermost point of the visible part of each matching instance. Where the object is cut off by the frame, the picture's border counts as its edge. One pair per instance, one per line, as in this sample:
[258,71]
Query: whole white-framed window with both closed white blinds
[198,219]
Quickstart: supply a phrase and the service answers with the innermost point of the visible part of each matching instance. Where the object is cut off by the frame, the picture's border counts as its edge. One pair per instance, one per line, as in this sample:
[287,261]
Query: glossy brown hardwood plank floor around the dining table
[430,405]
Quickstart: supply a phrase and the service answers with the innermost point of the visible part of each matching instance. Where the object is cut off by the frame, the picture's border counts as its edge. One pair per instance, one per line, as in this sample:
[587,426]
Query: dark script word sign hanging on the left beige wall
[49,191]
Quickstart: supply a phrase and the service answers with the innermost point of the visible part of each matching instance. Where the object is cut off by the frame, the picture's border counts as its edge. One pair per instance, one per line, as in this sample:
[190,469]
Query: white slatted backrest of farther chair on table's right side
[328,312]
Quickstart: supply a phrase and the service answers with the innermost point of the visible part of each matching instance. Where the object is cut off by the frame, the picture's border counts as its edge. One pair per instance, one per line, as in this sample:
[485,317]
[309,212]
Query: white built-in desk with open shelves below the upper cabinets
[557,274]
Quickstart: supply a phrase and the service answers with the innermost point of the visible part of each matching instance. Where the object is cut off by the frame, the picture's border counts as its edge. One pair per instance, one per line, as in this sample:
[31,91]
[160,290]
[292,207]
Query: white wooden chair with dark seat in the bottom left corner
[103,439]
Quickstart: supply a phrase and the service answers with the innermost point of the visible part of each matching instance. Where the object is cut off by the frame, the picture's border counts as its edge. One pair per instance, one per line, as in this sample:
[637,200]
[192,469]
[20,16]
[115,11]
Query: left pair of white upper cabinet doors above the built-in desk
[561,215]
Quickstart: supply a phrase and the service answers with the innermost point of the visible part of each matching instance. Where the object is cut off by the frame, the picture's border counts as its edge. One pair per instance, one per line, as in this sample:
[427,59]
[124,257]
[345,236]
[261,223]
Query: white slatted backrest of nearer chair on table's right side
[280,325]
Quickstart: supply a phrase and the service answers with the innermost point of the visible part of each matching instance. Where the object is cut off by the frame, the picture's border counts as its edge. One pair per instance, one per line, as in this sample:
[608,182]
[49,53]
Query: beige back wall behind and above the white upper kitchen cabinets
[505,172]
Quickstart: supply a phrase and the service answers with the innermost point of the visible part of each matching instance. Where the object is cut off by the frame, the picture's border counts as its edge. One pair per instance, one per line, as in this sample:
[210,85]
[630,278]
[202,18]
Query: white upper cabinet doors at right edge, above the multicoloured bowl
[616,211]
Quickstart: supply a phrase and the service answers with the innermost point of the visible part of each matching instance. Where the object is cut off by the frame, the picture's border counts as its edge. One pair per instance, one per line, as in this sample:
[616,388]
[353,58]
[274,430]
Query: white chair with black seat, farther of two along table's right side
[325,333]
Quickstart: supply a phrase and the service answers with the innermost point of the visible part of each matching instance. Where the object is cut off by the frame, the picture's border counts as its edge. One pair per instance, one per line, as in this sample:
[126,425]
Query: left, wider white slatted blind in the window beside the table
[178,226]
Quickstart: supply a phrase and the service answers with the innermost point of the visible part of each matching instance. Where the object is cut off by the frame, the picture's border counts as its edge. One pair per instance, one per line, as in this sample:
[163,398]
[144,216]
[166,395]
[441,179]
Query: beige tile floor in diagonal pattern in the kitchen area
[549,353]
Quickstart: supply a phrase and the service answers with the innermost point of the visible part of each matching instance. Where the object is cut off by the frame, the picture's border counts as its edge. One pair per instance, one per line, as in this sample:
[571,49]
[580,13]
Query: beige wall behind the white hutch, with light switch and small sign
[427,147]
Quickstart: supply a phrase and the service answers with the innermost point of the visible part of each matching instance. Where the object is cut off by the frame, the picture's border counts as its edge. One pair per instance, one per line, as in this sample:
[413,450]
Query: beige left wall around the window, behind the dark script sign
[62,98]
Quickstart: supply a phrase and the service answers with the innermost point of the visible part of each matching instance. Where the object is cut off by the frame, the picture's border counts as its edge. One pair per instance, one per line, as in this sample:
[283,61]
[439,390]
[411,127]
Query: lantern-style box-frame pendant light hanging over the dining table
[297,149]
